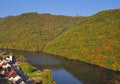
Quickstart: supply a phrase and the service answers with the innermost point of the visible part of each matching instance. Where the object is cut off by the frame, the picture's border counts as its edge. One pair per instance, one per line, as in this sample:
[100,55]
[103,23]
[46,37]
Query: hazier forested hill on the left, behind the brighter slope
[31,31]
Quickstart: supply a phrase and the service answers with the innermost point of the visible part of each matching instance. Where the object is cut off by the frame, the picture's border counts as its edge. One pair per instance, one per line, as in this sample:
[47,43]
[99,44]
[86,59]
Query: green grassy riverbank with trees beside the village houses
[32,72]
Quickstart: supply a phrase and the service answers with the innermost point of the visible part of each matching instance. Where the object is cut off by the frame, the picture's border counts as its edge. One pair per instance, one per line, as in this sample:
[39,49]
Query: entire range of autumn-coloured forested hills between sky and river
[94,39]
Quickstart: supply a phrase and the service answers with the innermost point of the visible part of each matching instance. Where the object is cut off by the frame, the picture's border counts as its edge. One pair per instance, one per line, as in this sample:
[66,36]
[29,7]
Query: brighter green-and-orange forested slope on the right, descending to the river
[95,41]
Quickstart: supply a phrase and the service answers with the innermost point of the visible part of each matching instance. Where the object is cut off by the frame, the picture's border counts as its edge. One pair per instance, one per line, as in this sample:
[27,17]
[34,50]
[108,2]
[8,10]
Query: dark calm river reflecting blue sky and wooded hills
[66,71]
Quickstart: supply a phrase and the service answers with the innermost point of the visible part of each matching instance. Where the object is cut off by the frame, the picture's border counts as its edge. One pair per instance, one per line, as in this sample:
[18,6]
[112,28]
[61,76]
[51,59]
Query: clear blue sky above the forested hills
[56,7]
